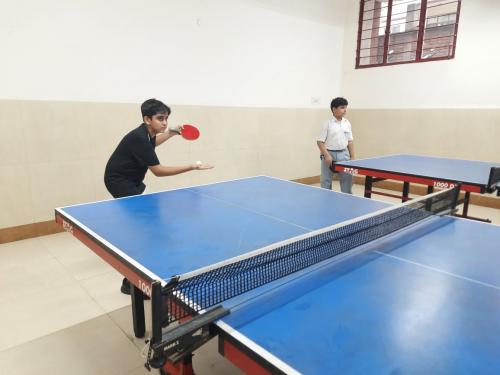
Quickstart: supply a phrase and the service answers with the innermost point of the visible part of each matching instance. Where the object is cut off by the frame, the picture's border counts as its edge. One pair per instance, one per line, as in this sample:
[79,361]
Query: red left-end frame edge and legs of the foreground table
[143,284]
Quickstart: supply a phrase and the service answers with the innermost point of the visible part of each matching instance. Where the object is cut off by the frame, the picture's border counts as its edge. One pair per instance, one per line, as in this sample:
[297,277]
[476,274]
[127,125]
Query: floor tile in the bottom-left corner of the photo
[97,346]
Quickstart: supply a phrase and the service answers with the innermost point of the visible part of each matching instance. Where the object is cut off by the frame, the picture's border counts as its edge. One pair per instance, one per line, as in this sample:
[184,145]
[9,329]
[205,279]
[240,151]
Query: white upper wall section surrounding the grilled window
[470,80]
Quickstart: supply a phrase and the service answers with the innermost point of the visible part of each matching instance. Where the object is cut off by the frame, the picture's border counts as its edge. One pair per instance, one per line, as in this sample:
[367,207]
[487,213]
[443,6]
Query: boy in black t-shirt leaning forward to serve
[135,154]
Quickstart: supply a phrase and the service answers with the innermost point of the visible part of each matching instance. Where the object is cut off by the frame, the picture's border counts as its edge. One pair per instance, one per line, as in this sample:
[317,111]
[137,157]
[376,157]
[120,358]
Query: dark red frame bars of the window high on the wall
[420,38]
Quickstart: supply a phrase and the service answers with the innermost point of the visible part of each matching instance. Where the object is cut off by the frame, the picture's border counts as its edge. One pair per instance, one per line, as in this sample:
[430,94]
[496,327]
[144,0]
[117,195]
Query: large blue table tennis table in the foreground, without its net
[424,299]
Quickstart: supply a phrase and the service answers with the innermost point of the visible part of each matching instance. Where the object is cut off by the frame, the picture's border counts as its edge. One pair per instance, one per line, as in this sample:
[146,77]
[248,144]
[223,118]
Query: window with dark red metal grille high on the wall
[406,31]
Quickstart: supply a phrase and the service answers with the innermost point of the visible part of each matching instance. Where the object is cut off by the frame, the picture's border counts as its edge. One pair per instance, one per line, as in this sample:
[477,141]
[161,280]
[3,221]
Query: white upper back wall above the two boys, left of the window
[220,52]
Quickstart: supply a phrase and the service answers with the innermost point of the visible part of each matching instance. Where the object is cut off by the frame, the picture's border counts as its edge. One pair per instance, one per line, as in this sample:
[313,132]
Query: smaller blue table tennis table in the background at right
[434,172]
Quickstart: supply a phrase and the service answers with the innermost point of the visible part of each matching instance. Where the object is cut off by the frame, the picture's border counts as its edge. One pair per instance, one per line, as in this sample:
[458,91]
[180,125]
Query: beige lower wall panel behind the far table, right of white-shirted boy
[456,133]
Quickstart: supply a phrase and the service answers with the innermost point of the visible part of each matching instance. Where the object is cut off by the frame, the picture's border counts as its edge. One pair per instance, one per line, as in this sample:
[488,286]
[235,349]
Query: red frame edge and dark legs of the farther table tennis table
[375,175]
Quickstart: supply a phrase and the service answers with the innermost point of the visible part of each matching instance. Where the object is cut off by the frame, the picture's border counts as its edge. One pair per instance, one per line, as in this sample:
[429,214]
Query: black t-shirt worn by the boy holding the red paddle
[129,163]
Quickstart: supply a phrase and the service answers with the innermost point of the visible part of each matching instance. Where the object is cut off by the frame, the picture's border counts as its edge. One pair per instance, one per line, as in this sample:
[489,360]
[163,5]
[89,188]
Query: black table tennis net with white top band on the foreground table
[210,287]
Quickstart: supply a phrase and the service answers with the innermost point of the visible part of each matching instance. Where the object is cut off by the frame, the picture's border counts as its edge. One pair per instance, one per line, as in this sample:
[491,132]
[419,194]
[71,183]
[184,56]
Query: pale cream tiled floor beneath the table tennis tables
[62,313]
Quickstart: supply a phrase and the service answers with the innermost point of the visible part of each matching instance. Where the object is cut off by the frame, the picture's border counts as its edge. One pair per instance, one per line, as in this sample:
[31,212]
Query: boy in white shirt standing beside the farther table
[335,143]
